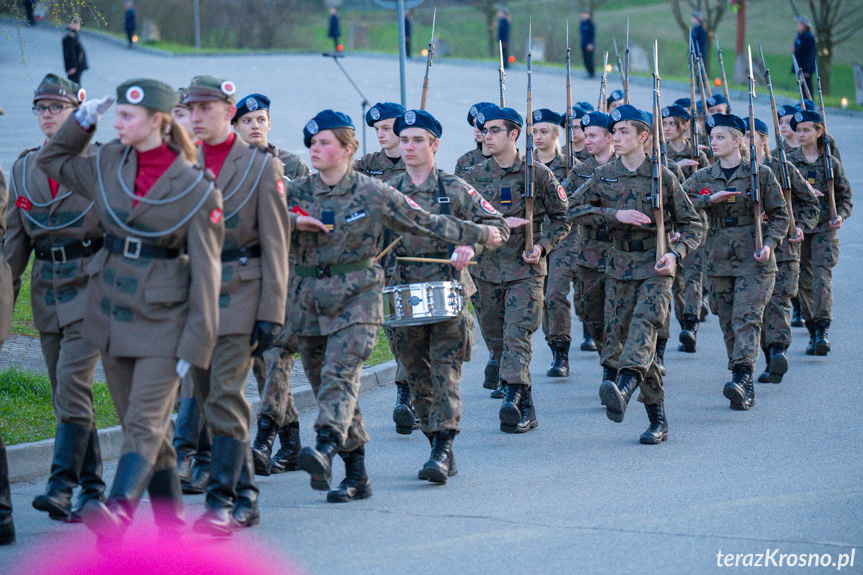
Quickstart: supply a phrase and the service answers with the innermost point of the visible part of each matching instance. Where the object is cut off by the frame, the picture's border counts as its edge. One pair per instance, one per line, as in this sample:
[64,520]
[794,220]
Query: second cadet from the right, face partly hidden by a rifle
[776,328]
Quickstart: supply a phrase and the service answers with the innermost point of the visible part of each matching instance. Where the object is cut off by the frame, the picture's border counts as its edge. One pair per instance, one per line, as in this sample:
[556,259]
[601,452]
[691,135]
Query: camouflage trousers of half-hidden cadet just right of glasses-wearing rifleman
[557,312]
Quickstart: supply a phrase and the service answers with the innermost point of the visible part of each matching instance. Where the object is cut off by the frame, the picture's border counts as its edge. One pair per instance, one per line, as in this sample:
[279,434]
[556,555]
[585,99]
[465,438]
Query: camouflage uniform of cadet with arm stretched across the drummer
[336,289]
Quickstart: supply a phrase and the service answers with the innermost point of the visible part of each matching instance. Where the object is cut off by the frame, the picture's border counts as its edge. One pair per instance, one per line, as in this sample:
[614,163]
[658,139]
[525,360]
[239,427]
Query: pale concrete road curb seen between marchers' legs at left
[29,460]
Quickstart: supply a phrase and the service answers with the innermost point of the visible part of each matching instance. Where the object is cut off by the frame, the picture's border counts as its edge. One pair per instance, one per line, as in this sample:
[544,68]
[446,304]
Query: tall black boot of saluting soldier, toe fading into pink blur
[109,520]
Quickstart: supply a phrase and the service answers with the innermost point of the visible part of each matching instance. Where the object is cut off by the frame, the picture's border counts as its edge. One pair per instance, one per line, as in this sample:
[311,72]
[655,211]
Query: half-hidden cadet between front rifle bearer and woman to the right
[687,290]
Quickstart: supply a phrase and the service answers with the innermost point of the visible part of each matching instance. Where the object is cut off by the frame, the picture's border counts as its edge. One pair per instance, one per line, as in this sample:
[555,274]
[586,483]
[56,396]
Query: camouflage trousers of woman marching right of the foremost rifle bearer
[739,302]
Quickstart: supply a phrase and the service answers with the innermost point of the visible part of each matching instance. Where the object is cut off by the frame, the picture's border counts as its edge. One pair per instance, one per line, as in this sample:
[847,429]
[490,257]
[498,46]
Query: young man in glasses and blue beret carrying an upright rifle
[509,281]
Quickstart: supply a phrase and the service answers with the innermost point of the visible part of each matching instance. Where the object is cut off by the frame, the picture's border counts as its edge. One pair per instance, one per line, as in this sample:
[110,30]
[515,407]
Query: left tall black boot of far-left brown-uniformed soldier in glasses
[70,444]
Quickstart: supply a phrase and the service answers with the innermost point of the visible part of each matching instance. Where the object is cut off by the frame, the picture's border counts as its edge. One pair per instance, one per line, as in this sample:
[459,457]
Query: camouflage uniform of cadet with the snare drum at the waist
[433,353]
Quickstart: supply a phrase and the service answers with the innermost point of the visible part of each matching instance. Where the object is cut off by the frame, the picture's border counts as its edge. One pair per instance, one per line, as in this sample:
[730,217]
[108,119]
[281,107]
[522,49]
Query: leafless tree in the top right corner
[835,22]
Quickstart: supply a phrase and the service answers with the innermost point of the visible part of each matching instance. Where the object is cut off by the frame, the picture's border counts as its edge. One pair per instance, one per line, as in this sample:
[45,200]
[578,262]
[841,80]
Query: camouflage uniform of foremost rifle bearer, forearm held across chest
[637,297]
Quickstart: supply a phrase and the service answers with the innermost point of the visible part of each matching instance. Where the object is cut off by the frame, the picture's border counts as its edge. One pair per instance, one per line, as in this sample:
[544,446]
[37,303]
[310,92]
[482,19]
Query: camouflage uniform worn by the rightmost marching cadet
[820,247]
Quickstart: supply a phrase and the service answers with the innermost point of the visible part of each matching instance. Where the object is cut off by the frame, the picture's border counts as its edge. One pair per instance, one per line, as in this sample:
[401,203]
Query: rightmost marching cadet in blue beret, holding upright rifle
[820,248]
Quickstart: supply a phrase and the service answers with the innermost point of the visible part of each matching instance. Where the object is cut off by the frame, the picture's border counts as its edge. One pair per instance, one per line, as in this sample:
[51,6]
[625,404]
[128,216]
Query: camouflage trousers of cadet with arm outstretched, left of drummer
[333,364]
